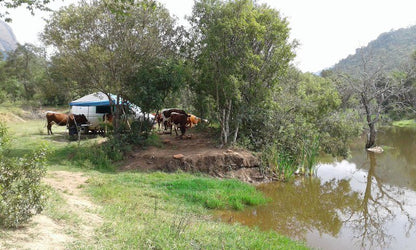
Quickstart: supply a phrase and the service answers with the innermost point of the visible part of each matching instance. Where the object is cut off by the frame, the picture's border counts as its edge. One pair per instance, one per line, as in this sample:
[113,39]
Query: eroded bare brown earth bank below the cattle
[196,155]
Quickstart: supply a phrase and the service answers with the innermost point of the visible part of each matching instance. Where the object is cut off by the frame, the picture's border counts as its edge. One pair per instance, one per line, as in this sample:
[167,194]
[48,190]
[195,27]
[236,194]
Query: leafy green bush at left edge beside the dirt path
[21,193]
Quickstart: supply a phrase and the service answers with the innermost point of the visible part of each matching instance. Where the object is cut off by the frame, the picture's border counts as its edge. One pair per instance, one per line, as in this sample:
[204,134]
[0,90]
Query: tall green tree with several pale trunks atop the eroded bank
[240,50]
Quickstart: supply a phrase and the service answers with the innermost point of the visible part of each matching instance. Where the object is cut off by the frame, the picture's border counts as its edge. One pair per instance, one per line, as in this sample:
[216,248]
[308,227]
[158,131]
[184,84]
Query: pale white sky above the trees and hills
[328,30]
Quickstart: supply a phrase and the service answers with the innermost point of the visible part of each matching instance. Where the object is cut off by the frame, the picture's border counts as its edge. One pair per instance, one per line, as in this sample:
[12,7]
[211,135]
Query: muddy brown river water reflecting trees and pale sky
[365,202]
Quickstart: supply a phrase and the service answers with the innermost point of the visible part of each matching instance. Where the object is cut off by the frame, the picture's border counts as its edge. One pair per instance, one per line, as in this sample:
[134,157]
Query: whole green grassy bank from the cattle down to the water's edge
[146,210]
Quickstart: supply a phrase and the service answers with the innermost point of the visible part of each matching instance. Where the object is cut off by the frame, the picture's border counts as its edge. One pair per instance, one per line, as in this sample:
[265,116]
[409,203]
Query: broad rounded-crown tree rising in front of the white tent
[103,44]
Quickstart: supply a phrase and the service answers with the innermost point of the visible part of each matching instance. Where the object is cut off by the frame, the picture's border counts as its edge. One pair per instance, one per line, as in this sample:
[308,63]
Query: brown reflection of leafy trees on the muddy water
[302,206]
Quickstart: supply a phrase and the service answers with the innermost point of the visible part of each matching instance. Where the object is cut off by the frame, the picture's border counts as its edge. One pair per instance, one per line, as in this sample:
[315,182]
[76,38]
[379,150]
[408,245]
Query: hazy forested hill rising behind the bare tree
[390,50]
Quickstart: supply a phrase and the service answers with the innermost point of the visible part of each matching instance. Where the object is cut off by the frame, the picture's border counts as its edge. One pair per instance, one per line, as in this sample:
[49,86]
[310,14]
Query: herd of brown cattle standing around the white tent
[170,119]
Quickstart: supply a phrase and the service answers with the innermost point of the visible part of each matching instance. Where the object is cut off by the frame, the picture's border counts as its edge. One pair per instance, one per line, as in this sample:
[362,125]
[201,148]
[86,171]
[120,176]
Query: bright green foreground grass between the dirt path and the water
[153,210]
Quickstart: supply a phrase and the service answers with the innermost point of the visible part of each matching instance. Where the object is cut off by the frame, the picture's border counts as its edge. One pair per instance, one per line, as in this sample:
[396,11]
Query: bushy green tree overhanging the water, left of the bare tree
[305,109]
